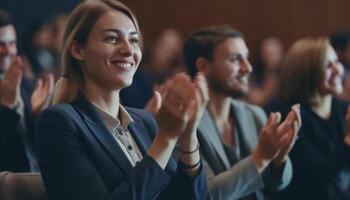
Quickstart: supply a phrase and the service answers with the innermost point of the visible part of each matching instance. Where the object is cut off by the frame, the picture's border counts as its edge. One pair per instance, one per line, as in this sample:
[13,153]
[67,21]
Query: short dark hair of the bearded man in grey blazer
[203,42]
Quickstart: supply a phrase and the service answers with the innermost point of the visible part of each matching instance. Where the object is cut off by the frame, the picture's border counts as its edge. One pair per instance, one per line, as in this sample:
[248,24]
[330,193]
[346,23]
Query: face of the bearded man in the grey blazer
[230,69]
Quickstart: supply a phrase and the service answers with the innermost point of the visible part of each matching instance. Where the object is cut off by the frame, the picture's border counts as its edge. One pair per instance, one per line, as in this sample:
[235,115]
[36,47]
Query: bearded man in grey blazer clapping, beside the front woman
[244,152]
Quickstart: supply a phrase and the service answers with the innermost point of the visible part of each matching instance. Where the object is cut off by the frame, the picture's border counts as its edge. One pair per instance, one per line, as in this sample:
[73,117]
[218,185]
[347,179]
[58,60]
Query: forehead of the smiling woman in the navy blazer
[114,20]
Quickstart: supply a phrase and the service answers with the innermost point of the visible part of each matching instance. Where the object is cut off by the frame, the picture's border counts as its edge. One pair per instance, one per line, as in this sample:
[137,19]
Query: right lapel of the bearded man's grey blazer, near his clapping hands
[246,129]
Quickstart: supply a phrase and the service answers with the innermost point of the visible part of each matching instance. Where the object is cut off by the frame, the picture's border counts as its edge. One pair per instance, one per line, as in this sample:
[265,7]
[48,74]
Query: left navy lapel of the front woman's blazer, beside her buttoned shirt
[99,132]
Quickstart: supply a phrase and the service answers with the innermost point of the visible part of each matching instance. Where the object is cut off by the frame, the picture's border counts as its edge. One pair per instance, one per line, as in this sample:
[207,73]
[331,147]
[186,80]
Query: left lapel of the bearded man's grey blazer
[210,133]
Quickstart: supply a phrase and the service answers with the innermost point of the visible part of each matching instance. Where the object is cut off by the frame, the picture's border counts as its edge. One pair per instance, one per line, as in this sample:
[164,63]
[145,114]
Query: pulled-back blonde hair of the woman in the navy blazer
[80,23]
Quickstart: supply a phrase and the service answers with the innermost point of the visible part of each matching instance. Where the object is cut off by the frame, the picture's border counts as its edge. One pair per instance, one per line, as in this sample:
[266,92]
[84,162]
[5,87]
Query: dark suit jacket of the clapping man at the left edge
[12,148]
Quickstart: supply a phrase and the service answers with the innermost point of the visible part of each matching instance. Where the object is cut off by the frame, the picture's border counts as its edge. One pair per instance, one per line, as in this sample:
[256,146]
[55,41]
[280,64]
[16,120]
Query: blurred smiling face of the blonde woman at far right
[333,74]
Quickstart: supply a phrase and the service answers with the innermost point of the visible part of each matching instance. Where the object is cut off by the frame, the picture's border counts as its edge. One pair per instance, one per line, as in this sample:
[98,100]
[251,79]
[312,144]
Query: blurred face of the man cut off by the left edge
[8,47]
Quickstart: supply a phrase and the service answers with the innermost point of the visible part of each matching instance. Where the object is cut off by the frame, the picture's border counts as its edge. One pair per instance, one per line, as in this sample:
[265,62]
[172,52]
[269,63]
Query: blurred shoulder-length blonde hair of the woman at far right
[303,70]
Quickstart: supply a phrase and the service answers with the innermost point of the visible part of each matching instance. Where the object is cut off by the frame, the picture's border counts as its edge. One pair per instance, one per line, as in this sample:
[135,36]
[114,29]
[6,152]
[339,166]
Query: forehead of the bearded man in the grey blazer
[234,45]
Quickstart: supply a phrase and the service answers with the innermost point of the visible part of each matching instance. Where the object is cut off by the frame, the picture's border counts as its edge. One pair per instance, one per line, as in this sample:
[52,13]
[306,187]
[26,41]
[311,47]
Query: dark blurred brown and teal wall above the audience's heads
[286,19]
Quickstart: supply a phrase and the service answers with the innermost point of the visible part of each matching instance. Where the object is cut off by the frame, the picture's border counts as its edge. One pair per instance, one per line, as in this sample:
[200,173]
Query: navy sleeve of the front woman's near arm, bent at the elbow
[69,172]
